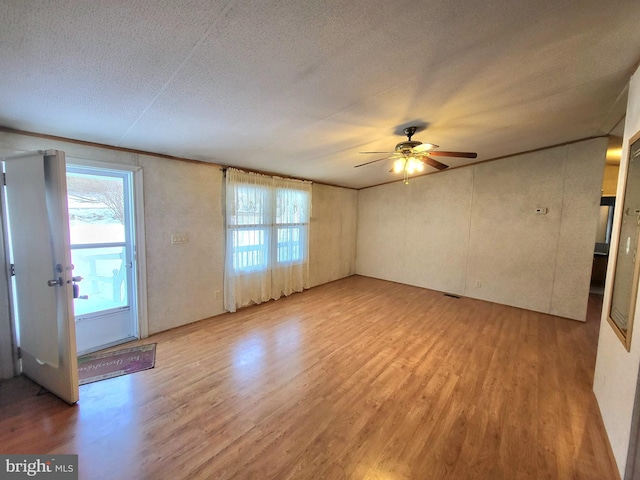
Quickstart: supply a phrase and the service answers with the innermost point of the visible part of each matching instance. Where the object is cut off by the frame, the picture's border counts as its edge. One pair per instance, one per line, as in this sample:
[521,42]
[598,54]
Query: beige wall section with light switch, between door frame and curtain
[183,197]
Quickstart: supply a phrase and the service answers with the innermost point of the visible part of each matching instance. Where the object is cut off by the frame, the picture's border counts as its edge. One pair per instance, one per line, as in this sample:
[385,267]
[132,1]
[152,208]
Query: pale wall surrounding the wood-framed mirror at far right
[616,369]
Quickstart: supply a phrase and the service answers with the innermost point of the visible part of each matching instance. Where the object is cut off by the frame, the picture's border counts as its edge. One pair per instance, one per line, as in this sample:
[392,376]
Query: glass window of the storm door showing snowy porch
[98,219]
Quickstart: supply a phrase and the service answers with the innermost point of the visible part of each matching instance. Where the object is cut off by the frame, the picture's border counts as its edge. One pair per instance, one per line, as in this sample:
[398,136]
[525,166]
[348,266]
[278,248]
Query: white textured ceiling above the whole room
[300,87]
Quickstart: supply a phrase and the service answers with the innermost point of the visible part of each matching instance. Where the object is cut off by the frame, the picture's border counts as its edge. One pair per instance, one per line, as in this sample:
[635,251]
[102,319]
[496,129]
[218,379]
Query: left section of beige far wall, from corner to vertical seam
[417,233]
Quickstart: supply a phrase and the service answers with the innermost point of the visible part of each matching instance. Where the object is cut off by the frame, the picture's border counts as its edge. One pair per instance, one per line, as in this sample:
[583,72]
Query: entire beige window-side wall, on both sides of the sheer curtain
[186,197]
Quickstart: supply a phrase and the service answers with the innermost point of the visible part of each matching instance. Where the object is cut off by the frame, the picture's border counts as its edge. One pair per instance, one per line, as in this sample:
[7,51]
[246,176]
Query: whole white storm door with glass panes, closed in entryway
[103,252]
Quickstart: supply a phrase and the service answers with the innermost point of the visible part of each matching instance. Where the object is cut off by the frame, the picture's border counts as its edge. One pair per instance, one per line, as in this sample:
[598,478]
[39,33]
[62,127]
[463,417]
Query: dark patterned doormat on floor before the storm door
[96,367]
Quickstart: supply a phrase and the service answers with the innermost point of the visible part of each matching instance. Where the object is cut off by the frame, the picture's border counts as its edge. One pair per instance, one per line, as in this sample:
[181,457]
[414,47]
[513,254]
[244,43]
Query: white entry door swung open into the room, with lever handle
[37,226]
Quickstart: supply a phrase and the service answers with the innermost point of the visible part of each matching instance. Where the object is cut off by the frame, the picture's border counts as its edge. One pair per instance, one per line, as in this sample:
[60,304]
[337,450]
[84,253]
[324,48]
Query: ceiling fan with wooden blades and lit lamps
[411,156]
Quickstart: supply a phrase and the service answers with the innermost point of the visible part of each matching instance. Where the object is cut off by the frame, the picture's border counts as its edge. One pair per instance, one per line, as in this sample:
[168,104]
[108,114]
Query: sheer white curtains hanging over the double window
[267,248]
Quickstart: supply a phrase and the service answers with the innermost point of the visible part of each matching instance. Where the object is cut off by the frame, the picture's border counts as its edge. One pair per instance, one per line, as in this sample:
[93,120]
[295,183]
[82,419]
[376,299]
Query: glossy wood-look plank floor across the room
[359,378]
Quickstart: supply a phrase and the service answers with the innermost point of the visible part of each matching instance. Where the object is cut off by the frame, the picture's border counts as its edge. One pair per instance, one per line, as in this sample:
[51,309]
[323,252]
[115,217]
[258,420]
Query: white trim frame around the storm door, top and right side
[139,248]
